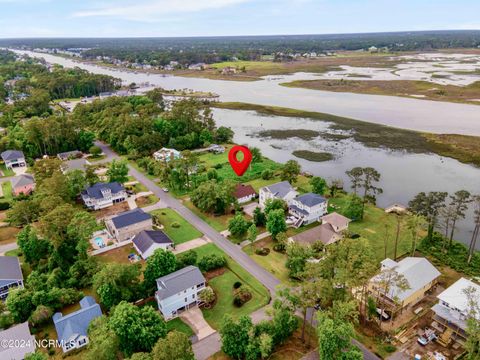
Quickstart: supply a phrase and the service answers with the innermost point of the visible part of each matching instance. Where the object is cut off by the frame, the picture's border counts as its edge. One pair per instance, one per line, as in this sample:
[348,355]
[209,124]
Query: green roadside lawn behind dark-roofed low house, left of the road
[185,232]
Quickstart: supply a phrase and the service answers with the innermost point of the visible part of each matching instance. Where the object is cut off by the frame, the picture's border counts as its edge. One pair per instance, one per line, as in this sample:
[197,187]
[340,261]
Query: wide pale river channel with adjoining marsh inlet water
[403,174]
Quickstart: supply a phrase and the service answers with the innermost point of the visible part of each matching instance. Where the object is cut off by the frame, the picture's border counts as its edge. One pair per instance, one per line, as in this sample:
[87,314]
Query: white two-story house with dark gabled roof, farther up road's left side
[102,195]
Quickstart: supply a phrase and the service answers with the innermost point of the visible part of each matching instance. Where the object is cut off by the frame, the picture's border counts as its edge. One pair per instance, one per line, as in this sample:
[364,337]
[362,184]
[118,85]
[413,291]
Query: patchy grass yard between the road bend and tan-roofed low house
[274,262]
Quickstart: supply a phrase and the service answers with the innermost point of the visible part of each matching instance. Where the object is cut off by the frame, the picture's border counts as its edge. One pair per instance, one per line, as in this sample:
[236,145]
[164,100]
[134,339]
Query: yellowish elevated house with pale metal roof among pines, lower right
[420,276]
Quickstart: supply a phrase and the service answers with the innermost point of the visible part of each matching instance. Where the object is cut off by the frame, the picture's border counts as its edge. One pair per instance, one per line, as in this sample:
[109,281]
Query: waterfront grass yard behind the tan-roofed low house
[373,228]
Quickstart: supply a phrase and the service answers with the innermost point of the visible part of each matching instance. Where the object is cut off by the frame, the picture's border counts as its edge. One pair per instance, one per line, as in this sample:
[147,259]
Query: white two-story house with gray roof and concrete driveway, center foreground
[178,291]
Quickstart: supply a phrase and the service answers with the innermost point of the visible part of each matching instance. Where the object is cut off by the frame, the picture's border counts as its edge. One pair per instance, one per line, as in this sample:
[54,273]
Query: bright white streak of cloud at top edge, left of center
[150,10]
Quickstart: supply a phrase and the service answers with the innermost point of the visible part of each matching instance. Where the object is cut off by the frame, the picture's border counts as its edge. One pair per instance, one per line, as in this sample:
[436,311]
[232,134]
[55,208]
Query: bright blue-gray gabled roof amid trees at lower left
[70,326]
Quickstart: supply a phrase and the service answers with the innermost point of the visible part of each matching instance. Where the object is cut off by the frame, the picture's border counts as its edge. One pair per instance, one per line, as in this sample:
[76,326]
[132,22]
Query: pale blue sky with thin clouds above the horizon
[138,18]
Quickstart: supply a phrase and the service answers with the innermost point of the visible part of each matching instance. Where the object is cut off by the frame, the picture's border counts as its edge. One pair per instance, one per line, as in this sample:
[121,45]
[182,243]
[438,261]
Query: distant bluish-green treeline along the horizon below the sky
[213,49]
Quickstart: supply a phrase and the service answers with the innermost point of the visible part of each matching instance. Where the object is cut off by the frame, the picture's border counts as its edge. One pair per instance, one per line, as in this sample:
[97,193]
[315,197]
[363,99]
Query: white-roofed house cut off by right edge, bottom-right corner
[452,311]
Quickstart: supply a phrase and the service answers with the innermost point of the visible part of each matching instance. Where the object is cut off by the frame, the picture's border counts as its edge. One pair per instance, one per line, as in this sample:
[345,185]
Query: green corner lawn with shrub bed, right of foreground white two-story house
[223,286]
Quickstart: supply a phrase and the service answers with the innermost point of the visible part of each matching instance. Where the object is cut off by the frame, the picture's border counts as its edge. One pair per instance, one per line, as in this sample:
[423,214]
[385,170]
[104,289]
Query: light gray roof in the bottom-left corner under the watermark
[21,335]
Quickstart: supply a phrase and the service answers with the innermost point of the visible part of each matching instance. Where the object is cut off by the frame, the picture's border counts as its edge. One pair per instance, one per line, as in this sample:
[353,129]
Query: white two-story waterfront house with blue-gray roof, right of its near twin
[307,208]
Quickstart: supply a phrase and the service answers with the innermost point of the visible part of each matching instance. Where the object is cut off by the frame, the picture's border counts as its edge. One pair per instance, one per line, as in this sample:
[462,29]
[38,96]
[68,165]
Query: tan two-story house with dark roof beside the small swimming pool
[128,224]
